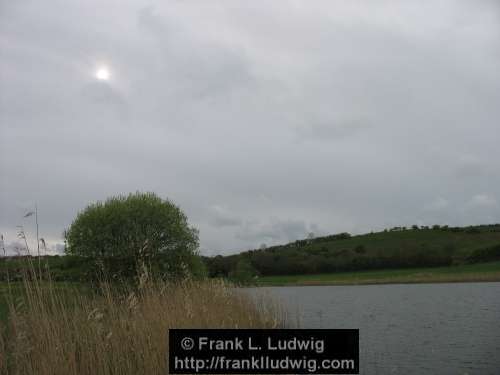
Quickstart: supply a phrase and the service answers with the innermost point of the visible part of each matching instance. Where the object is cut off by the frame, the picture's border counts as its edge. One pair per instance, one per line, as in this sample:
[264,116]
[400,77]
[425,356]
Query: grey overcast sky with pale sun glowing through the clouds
[263,120]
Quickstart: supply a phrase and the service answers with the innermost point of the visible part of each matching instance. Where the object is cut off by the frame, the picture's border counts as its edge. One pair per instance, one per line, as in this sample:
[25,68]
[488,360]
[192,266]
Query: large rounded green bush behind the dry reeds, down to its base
[127,232]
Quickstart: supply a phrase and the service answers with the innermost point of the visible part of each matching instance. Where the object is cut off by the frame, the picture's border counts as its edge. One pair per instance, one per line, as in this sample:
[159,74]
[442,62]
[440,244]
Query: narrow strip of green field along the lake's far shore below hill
[463,273]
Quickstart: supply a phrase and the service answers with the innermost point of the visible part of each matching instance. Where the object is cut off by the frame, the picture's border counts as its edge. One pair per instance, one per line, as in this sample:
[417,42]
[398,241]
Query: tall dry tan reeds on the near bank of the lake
[56,331]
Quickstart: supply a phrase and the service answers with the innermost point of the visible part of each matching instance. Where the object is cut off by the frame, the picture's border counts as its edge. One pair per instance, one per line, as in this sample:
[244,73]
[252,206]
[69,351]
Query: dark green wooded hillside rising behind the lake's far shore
[395,248]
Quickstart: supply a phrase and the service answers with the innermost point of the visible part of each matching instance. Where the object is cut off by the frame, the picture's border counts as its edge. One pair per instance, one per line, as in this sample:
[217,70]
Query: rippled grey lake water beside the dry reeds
[407,328]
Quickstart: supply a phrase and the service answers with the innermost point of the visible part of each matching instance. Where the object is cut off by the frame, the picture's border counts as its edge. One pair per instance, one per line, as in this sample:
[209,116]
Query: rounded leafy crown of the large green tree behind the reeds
[139,226]
